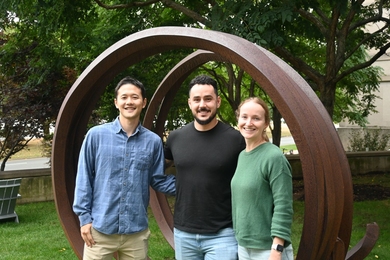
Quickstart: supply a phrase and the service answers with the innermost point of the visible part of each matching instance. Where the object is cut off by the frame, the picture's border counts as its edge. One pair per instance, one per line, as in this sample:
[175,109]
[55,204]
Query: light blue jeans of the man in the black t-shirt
[221,245]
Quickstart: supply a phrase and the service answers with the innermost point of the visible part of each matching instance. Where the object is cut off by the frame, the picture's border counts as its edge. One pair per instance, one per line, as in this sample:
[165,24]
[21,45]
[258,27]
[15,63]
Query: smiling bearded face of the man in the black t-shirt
[204,103]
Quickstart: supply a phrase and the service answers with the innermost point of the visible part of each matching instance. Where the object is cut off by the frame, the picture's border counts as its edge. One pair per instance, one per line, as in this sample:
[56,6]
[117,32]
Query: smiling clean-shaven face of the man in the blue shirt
[130,103]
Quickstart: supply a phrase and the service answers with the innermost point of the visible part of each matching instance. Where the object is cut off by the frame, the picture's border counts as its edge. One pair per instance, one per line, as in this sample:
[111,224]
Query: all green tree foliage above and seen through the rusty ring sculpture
[45,44]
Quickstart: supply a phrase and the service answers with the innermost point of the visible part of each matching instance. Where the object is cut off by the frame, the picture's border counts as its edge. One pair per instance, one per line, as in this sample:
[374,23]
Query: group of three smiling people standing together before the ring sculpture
[213,210]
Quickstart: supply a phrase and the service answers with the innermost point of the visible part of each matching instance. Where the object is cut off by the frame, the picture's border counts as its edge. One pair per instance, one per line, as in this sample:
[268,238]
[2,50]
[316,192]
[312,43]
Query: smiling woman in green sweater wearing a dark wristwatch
[261,190]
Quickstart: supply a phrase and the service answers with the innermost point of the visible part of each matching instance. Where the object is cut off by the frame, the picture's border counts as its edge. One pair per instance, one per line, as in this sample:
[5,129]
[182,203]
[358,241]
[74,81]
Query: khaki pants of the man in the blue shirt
[129,247]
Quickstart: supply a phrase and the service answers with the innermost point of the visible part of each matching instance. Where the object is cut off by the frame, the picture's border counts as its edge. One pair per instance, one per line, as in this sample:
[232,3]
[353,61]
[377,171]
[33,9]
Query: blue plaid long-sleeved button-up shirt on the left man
[113,178]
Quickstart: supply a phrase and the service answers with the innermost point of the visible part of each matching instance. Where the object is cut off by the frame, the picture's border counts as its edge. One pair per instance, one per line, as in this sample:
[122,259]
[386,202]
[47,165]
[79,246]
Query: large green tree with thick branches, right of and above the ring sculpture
[325,41]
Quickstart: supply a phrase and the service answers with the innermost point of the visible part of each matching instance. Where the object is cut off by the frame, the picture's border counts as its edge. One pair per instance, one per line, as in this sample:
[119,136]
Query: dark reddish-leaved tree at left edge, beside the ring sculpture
[27,105]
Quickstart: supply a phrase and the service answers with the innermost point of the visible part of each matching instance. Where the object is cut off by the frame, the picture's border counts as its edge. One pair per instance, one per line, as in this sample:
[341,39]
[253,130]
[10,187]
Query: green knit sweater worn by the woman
[262,197]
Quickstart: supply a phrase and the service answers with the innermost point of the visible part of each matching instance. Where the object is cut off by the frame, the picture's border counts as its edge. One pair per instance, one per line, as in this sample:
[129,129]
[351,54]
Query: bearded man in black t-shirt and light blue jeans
[205,155]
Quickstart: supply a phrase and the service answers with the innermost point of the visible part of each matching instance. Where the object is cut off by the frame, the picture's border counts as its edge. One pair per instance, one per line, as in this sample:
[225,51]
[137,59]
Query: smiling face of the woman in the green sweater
[252,121]
